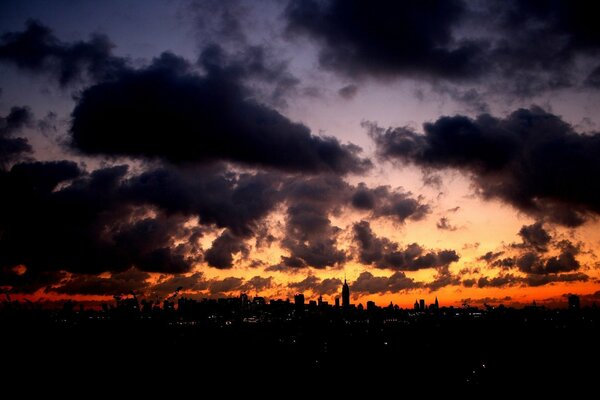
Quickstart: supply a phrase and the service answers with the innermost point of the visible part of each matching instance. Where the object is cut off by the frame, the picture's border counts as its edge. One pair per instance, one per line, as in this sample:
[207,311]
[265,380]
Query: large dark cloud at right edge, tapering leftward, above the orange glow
[531,159]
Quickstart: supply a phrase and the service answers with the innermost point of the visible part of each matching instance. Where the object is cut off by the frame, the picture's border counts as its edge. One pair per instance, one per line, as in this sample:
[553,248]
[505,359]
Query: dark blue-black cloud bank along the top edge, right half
[527,47]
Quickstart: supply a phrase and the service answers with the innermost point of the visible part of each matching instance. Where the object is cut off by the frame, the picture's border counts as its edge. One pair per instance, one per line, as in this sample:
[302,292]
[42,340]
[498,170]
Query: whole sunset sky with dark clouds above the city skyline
[423,149]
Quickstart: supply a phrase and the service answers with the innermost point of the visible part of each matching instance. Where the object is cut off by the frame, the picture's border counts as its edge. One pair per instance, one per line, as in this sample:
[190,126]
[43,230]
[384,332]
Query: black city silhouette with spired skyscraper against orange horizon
[466,348]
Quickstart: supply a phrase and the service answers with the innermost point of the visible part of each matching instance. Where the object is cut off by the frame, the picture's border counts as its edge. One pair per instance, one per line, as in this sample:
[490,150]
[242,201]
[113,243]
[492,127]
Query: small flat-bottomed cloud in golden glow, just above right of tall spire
[383,253]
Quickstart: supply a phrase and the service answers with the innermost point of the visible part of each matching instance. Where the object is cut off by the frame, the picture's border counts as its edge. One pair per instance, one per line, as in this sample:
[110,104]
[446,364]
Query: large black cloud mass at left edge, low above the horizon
[61,218]
